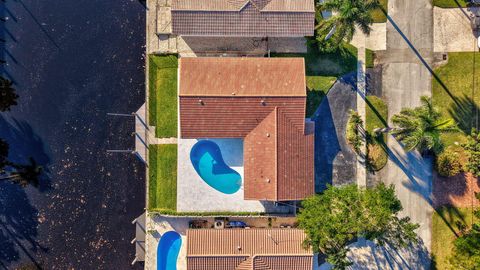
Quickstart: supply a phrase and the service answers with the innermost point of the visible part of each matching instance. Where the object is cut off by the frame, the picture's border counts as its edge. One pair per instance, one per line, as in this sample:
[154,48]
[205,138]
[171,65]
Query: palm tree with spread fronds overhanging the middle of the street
[420,128]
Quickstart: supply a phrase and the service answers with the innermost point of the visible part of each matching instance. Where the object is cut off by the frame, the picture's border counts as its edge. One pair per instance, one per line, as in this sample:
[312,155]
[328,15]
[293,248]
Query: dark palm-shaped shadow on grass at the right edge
[466,113]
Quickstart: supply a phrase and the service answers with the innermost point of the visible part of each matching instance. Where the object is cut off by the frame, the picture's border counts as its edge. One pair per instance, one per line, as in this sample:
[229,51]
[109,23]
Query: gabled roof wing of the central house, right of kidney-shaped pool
[278,160]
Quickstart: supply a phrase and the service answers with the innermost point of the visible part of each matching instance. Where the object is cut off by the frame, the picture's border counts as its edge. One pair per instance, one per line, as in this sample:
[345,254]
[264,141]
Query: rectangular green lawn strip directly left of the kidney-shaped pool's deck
[162,187]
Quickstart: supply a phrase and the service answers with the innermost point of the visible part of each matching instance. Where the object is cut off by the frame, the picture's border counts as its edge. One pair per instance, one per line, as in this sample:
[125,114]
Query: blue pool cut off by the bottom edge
[167,251]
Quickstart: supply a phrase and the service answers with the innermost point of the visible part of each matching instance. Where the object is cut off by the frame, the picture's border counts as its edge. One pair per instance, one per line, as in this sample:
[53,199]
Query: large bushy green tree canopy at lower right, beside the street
[338,216]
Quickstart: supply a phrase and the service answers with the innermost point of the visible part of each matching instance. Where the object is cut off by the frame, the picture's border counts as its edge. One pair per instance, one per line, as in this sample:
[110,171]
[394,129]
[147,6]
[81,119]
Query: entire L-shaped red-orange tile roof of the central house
[268,112]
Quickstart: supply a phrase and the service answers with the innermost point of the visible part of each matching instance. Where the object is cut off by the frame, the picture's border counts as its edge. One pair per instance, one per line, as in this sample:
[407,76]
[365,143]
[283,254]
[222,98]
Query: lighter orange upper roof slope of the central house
[258,77]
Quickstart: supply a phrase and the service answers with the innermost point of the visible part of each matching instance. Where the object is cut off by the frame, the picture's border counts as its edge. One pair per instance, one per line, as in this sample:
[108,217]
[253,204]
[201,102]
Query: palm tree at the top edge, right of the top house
[346,15]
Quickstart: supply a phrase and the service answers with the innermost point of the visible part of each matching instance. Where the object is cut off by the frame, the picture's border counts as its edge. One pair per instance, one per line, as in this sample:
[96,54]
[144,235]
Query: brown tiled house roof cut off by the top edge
[248,18]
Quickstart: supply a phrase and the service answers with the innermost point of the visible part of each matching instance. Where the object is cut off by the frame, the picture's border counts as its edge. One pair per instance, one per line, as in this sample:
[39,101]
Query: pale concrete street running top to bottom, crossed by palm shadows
[406,77]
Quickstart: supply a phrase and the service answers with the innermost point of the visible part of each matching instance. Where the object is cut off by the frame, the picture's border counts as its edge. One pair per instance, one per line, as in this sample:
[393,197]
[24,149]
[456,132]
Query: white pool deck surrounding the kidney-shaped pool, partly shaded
[194,195]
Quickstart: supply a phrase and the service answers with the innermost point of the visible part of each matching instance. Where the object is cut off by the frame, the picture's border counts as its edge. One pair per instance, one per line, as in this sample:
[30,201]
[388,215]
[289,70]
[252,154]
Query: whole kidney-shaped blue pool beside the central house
[207,160]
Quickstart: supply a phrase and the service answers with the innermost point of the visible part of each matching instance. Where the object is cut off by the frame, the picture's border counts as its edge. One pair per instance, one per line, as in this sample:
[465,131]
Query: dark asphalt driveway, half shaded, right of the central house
[335,161]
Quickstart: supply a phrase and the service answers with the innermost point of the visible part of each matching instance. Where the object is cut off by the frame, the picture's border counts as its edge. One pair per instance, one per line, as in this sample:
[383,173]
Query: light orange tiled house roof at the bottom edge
[247,249]
